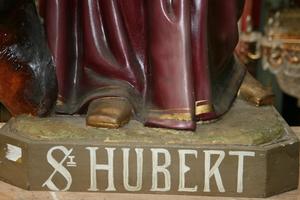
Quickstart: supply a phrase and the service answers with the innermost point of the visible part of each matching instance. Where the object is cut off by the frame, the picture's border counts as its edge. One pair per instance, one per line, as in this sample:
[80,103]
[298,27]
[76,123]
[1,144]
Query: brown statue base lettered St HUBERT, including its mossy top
[250,152]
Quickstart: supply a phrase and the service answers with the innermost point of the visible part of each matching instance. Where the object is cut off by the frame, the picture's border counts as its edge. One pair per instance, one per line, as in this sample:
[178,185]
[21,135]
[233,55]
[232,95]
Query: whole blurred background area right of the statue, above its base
[270,48]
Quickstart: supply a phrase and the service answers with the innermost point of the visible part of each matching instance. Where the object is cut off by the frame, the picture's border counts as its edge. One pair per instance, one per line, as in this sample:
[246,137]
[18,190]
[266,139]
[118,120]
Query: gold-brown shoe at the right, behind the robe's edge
[253,91]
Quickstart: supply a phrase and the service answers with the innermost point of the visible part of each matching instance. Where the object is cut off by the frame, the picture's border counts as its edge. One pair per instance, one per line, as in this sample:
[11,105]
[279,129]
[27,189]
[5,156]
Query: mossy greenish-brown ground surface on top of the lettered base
[244,124]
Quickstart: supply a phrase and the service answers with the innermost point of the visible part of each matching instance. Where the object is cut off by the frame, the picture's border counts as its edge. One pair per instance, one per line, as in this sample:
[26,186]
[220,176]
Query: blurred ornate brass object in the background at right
[279,49]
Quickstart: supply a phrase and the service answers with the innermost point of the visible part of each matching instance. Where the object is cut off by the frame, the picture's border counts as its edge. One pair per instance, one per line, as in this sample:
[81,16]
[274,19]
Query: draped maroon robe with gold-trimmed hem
[173,59]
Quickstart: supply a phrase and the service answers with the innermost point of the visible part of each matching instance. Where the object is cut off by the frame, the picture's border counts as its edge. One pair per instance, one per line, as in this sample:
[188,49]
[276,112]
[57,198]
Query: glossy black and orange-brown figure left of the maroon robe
[27,74]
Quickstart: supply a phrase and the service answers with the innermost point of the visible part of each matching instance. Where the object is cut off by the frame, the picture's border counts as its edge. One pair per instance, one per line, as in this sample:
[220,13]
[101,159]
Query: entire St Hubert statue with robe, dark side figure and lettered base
[167,64]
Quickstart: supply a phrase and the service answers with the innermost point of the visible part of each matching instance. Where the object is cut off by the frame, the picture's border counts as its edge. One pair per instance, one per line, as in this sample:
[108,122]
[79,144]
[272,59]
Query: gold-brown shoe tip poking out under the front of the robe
[109,112]
